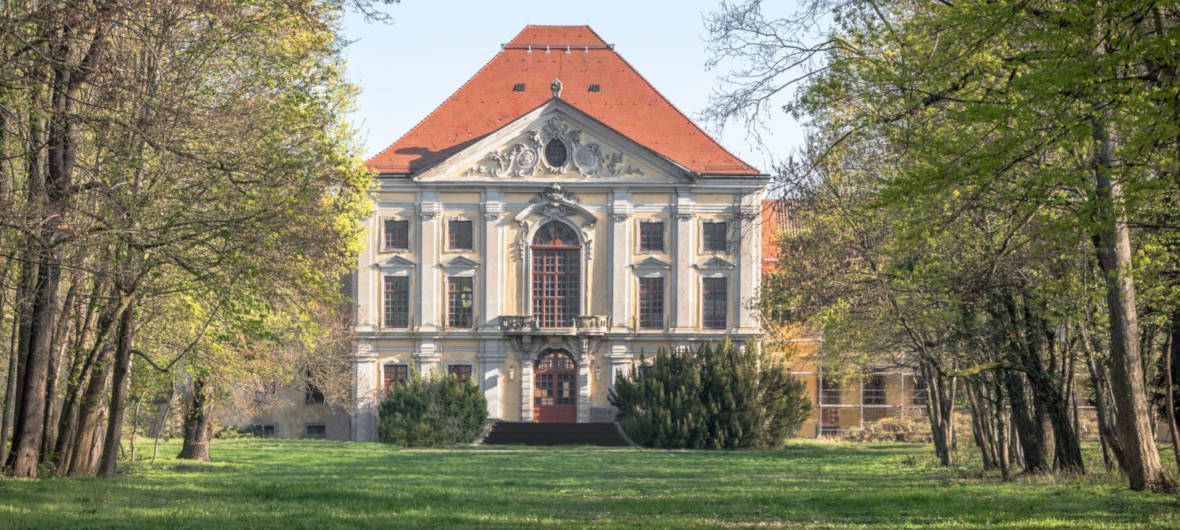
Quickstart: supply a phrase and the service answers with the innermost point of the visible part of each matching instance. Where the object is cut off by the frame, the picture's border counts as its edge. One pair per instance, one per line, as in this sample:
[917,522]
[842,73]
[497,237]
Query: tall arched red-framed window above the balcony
[556,274]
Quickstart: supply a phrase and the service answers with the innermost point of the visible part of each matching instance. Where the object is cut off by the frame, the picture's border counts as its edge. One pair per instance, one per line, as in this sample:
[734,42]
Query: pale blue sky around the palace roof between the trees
[408,69]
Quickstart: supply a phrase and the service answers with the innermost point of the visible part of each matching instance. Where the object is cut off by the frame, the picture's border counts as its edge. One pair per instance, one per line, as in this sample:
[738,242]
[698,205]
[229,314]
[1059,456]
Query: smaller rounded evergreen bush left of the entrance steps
[432,413]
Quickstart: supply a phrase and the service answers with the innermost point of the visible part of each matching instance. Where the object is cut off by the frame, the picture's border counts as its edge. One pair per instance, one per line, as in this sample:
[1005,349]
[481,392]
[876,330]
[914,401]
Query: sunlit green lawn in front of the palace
[318,485]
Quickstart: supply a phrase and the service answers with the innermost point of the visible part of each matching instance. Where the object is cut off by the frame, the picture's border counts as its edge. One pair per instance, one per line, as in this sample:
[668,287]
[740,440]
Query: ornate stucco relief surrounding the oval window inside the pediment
[525,159]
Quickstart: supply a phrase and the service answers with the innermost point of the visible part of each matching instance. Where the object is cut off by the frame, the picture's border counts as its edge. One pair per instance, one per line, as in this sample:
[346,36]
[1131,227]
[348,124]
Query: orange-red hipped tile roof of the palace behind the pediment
[579,57]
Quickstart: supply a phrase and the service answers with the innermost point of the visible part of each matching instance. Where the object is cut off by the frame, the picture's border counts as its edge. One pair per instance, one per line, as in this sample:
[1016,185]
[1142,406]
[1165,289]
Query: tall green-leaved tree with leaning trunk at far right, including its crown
[1071,104]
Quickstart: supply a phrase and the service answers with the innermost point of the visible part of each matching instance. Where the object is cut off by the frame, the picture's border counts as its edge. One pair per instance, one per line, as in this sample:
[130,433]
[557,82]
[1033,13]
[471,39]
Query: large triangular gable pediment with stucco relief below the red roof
[556,142]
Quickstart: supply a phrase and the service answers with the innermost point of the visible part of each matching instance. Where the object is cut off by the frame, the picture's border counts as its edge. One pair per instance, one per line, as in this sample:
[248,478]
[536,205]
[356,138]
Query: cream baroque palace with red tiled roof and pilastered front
[545,228]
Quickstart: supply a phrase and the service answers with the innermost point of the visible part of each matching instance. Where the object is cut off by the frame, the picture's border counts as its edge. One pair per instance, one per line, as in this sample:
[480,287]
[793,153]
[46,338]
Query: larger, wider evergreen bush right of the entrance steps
[718,397]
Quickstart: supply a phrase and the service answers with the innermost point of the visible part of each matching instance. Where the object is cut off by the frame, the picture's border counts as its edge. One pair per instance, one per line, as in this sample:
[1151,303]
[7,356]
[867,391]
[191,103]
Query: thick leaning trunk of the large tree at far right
[1113,243]
